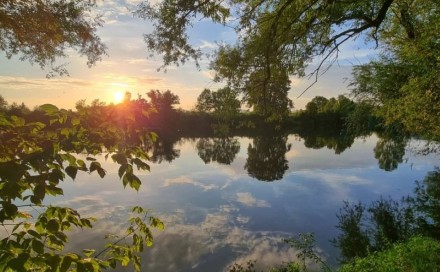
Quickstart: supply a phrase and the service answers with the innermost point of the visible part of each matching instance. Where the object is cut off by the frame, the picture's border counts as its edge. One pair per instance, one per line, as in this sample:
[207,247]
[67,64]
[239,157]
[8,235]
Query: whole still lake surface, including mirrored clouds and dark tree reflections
[216,214]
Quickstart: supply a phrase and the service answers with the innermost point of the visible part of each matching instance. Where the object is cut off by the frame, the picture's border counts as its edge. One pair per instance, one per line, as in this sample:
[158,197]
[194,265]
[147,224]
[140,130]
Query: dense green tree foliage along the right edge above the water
[403,83]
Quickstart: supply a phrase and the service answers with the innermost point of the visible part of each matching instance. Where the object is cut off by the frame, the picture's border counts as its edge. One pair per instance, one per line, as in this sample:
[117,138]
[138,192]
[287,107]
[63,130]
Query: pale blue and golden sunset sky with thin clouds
[128,68]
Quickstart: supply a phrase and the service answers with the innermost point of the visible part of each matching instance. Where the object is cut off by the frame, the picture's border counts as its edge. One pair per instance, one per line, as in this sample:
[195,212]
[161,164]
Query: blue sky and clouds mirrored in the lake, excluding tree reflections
[216,214]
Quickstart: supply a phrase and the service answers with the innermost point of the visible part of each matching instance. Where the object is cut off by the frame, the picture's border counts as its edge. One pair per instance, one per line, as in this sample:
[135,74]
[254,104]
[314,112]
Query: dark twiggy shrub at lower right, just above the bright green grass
[373,228]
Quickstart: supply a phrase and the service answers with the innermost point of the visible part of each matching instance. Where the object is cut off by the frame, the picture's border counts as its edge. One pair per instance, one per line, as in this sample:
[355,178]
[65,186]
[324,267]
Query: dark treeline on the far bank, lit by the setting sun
[219,113]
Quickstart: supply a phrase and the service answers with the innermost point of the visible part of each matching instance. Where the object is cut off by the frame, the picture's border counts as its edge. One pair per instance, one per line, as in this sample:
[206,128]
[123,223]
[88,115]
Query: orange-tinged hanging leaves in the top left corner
[42,31]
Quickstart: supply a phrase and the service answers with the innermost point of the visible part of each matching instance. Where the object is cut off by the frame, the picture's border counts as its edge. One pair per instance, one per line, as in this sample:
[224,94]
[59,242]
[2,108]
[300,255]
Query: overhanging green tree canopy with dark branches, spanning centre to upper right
[278,39]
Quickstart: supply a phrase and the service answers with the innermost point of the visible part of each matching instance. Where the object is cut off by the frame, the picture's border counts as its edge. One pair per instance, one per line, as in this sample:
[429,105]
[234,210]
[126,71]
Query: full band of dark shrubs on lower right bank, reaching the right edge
[376,227]
